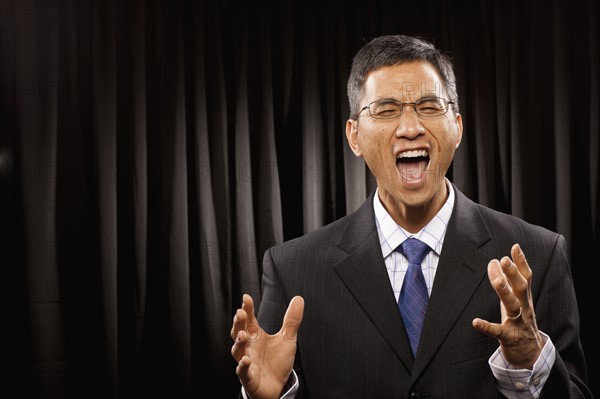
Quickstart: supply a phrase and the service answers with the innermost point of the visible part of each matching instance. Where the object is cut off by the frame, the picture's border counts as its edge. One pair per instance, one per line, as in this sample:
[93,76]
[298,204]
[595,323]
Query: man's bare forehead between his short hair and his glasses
[406,82]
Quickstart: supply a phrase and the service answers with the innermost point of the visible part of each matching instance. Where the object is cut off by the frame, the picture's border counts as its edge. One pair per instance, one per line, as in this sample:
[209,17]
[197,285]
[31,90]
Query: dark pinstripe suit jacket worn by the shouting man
[352,342]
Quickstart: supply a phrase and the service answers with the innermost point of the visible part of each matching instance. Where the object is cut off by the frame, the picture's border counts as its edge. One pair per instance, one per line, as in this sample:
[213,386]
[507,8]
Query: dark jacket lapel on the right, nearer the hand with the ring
[461,269]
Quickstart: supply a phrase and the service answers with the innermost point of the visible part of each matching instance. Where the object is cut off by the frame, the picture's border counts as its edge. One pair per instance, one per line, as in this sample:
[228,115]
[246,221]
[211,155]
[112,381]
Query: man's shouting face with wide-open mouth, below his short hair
[409,155]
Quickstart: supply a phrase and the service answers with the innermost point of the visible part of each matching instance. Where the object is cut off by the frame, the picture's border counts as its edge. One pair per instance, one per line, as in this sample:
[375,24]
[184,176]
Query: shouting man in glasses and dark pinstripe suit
[354,327]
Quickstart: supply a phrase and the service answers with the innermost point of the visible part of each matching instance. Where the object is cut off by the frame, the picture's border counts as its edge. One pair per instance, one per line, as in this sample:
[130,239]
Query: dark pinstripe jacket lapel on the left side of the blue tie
[364,274]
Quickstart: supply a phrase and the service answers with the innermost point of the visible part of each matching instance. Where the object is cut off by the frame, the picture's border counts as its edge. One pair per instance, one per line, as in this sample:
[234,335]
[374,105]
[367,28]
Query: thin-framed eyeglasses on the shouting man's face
[389,108]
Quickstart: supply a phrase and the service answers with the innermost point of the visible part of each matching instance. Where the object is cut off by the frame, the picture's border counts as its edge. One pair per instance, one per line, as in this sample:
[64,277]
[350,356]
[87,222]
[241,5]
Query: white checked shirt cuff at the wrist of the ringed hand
[523,383]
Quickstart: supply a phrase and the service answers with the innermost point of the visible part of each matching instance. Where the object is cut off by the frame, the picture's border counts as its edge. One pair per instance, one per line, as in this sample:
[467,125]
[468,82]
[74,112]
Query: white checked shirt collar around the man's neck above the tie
[391,234]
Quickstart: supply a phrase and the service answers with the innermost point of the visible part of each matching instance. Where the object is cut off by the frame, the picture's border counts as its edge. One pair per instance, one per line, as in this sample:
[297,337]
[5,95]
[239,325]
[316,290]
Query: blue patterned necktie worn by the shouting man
[413,295]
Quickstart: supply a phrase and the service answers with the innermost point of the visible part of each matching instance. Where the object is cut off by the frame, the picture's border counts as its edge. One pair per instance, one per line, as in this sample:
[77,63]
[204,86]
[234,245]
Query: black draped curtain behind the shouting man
[150,151]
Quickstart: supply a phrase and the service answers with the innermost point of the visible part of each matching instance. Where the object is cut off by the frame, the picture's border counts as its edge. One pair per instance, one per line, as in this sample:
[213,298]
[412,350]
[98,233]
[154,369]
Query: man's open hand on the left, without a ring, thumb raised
[265,361]
